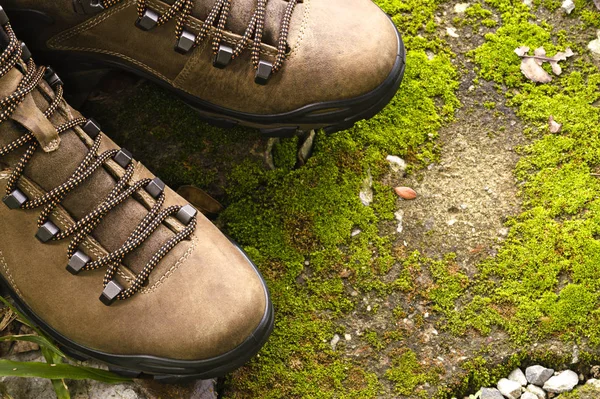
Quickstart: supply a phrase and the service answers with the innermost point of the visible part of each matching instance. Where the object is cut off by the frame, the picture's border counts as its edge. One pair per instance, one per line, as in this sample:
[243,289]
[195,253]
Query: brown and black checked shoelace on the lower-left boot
[15,55]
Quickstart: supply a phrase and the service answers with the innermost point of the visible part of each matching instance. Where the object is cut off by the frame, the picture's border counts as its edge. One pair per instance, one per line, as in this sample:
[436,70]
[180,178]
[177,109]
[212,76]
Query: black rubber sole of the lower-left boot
[157,368]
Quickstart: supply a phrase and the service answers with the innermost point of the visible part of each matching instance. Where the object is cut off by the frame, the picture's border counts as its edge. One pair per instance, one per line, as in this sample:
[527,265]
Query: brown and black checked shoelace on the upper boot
[215,23]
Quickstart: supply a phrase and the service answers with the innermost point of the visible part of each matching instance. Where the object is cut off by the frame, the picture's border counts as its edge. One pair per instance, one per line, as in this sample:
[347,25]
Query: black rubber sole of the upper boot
[332,116]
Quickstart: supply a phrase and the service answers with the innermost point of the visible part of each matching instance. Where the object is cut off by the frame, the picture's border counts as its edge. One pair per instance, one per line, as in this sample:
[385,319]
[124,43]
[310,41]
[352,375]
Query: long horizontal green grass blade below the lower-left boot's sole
[57,372]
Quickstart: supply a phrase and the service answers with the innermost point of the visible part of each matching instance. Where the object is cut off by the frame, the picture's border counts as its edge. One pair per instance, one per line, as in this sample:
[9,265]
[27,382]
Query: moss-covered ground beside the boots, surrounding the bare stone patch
[540,288]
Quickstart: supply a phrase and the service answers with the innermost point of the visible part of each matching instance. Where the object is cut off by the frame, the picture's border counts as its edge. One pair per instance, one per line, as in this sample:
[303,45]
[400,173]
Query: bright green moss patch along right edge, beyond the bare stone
[543,282]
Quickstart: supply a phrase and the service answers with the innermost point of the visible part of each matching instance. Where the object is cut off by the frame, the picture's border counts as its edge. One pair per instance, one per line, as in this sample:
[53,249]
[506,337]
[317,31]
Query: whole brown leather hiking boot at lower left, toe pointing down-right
[82,220]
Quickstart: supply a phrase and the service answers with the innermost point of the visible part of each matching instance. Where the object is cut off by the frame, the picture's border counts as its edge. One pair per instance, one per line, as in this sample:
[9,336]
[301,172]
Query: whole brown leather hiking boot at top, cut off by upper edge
[278,65]
